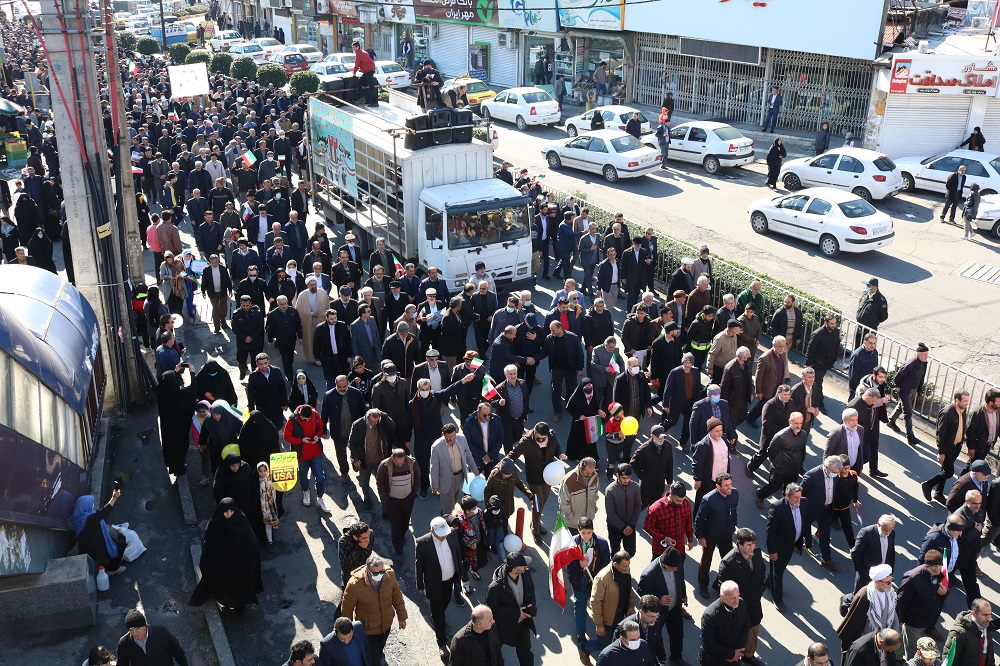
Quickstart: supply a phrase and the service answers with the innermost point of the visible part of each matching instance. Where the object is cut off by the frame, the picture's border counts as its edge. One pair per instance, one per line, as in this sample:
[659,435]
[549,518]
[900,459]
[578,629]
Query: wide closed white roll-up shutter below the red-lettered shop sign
[924,124]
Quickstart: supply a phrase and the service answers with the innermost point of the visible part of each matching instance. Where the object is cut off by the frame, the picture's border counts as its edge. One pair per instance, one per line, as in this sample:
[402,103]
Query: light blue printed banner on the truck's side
[332,133]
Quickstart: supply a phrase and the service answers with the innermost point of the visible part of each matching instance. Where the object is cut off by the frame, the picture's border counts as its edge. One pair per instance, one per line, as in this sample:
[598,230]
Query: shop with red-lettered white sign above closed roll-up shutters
[931,103]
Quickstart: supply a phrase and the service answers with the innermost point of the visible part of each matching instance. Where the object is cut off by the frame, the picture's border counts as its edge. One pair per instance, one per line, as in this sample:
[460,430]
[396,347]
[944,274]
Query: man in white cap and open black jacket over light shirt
[436,576]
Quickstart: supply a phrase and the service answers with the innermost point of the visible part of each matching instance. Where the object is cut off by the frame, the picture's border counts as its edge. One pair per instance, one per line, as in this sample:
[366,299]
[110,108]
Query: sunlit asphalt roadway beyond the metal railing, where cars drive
[919,272]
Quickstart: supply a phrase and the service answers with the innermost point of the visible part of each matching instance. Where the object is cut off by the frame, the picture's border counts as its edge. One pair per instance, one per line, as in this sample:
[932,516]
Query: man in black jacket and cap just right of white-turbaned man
[920,600]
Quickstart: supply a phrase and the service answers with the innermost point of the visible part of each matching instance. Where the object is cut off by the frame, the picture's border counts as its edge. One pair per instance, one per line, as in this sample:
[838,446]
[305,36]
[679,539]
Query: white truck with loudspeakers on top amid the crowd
[435,206]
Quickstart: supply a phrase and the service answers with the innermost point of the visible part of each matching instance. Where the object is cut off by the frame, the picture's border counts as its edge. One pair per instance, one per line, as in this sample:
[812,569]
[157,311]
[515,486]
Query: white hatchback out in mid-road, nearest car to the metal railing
[836,220]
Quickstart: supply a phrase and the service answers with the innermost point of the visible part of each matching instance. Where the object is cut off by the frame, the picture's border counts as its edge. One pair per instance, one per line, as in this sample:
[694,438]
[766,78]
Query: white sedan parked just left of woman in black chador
[713,145]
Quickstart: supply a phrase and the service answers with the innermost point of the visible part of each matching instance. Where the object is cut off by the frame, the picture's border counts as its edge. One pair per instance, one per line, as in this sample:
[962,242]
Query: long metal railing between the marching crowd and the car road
[942,379]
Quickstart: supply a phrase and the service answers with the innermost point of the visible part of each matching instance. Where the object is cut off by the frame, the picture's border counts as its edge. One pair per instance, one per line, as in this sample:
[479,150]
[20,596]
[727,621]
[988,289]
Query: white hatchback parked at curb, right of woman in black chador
[866,173]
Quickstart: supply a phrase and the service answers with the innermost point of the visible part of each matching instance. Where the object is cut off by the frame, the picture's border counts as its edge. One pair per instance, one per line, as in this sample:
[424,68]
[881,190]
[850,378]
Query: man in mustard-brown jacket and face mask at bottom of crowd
[373,597]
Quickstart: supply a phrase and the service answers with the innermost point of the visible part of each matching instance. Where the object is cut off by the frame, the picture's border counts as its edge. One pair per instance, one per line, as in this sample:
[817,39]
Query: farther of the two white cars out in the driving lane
[611,153]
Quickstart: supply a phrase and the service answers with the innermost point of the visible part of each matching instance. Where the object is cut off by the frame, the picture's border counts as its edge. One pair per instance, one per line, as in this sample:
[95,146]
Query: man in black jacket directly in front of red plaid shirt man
[664,579]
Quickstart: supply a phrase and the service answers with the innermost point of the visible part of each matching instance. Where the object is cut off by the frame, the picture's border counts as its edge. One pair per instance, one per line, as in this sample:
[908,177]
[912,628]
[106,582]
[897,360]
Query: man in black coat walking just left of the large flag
[511,597]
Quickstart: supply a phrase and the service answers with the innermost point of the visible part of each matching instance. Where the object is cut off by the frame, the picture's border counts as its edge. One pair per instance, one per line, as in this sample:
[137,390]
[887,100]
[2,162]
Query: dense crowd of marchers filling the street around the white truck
[408,400]
